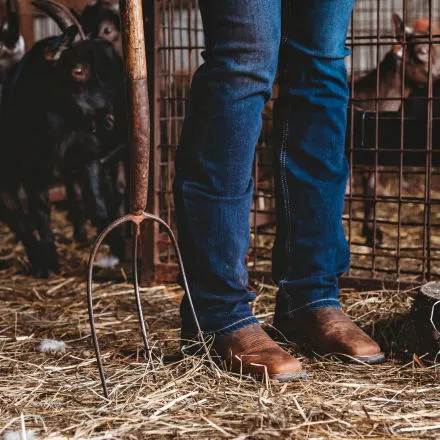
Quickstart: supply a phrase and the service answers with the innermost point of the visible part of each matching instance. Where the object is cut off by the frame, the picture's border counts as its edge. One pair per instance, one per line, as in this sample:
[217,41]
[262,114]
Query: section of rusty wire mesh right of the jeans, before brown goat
[392,211]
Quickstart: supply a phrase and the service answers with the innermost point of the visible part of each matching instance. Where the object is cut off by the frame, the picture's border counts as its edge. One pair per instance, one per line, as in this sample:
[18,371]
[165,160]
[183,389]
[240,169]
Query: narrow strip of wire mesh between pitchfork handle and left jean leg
[179,43]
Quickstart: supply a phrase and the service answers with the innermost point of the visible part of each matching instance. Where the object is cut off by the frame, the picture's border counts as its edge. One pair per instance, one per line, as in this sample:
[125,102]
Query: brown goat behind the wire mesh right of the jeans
[377,99]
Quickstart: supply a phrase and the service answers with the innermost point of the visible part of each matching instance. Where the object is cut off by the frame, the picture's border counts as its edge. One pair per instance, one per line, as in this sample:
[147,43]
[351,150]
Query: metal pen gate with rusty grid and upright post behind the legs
[406,199]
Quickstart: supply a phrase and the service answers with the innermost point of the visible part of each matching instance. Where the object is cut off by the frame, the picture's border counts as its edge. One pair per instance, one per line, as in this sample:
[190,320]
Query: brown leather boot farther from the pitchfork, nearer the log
[330,330]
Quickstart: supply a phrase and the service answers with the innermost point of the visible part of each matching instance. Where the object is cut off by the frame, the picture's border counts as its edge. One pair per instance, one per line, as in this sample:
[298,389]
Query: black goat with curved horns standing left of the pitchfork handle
[61,111]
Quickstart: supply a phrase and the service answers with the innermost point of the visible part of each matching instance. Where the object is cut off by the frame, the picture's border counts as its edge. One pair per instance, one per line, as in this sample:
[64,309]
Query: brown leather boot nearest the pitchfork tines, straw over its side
[251,351]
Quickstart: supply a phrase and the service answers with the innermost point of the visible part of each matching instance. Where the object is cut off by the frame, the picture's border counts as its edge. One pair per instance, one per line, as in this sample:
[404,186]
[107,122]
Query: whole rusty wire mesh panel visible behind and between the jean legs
[392,211]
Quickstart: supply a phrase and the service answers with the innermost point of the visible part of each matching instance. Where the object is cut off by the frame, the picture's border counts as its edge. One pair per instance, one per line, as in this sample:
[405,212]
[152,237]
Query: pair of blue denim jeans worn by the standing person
[246,41]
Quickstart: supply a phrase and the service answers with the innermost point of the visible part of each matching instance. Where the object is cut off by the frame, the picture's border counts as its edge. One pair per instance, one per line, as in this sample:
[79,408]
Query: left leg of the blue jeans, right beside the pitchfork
[213,184]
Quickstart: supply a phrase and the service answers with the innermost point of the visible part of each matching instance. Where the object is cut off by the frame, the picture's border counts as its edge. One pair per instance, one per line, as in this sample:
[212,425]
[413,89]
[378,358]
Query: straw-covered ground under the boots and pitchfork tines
[60,397]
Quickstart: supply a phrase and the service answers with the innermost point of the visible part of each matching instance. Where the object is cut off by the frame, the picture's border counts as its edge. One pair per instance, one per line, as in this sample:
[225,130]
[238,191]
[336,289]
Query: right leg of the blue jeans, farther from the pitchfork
[311,251]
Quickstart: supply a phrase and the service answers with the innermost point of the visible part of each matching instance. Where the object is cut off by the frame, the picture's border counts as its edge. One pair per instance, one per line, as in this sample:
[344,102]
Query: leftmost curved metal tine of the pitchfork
[99,240]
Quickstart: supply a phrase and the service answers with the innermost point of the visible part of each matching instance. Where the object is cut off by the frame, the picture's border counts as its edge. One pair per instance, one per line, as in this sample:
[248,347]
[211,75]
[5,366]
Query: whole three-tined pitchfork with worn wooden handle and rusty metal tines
[139,120]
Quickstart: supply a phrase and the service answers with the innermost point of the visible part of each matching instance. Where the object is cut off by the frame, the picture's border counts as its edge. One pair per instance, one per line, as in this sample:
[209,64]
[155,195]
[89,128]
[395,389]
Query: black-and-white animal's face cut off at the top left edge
[12,46]
